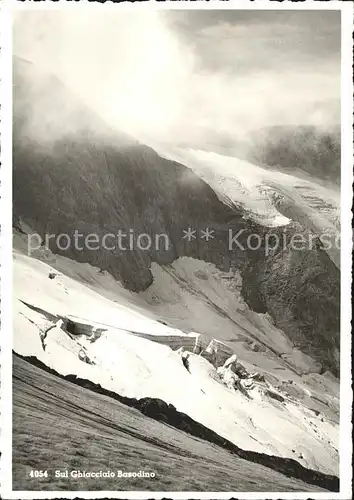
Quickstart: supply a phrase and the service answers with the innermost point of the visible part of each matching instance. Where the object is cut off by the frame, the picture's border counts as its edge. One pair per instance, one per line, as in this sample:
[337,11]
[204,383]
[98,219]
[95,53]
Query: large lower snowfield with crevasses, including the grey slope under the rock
[303,426]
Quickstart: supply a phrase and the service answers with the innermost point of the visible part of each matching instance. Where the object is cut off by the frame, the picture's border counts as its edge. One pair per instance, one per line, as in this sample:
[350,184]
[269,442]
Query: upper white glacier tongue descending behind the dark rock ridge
[269,197]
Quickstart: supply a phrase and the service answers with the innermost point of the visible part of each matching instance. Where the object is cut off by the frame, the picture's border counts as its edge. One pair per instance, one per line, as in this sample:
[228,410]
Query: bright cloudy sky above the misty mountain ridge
[172,75]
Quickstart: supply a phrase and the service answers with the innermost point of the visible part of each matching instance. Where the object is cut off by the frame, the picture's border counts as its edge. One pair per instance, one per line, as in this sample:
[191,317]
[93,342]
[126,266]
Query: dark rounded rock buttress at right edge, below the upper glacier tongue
[301,291]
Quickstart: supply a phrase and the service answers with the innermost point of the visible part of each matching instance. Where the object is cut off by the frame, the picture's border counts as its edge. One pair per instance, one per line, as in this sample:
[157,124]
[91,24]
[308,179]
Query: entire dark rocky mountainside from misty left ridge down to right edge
[90,179]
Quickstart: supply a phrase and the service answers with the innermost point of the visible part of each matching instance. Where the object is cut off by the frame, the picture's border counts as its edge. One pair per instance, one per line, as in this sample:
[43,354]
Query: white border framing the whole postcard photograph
[6,10]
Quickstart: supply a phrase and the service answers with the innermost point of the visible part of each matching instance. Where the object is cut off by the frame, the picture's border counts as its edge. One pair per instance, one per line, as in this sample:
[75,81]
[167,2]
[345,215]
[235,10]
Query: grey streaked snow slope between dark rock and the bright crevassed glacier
[195,295]
